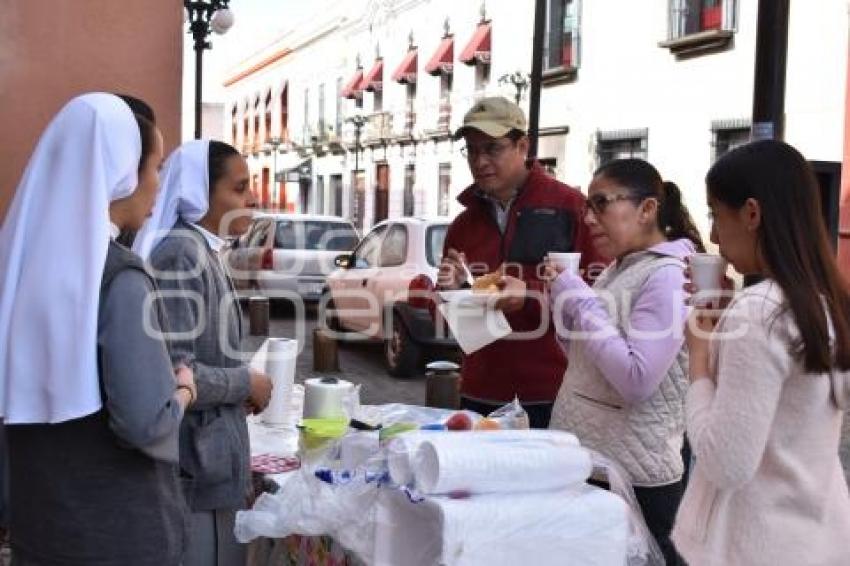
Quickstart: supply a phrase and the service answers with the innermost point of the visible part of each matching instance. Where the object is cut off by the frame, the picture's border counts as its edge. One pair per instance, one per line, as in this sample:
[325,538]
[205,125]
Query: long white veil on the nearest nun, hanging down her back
[53,247]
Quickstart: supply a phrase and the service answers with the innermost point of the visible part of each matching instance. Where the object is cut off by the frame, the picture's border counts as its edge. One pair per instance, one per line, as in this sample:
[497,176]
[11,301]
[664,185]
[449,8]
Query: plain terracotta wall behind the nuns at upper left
[133,48]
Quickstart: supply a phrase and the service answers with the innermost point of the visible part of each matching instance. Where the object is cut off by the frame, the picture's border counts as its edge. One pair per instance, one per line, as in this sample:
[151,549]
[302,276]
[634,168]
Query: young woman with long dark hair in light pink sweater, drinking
[770,378]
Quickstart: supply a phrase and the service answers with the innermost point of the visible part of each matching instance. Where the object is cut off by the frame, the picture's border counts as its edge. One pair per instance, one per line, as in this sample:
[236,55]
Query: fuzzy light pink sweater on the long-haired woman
[768,487]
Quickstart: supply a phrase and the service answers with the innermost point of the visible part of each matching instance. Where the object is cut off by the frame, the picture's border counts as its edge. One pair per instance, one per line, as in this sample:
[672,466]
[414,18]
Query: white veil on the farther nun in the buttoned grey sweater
[184,193]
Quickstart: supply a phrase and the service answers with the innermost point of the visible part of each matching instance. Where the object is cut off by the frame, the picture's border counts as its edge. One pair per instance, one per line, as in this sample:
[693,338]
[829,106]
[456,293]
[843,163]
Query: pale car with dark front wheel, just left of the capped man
[383,290]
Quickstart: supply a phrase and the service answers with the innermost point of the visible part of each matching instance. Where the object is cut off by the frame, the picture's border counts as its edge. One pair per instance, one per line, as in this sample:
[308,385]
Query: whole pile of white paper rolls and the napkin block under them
[497,498]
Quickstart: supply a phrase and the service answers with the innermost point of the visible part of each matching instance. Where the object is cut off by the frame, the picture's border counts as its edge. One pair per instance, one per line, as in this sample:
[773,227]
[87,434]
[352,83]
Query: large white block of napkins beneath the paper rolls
[582,525]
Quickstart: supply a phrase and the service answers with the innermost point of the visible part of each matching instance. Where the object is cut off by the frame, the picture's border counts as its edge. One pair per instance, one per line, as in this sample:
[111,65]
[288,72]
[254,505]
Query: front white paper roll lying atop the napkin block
[499,462]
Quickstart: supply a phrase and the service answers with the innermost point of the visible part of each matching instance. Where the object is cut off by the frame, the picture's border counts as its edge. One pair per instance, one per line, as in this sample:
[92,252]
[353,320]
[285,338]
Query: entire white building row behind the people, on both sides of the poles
[361,102]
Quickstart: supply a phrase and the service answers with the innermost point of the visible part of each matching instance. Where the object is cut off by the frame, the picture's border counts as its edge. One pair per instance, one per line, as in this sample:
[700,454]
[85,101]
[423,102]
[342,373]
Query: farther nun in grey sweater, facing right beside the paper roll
[204,184]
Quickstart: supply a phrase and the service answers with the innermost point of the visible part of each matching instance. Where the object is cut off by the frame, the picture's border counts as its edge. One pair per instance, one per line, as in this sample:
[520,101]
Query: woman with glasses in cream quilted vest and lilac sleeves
[624,390]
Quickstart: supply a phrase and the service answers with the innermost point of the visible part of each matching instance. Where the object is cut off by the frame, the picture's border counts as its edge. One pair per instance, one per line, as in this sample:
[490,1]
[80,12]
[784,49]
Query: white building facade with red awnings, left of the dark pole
[362,105]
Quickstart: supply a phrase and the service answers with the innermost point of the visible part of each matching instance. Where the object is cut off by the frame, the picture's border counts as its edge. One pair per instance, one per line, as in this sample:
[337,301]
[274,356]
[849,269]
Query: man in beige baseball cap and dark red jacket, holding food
[515,214]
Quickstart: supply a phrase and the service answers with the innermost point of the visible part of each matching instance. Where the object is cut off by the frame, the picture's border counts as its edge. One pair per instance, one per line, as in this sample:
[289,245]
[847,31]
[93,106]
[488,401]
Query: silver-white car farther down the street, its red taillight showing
[288,254]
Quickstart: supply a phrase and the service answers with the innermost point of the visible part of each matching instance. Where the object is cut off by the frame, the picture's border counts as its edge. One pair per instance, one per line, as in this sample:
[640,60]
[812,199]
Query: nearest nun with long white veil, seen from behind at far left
[91,402]
